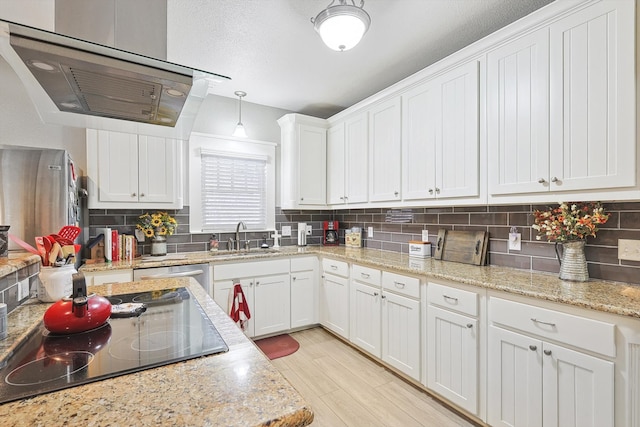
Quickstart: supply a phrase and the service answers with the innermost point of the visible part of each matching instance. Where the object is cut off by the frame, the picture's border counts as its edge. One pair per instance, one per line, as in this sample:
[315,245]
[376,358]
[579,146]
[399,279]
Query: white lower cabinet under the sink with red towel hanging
[267,290]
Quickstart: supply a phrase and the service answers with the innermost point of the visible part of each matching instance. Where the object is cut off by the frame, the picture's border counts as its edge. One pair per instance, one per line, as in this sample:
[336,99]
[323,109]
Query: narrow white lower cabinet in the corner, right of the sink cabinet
[304,291]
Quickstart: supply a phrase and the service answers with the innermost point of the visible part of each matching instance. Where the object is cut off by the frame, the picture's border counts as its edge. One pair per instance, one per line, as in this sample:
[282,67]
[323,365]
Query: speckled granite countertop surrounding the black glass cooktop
[237,388]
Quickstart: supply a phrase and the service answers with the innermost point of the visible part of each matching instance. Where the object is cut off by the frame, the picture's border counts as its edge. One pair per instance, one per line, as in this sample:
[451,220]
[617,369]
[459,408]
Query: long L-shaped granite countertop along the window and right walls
[610,297]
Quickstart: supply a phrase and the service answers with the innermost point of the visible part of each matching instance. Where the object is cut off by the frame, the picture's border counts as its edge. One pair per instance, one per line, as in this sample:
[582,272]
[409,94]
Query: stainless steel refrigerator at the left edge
[38,192]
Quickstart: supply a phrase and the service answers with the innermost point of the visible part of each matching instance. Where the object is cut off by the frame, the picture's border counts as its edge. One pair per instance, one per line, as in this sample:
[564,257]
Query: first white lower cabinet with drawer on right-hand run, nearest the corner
[334,297]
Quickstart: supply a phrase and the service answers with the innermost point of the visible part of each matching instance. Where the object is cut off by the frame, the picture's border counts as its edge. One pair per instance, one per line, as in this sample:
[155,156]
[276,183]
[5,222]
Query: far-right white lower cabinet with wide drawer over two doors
[533,382]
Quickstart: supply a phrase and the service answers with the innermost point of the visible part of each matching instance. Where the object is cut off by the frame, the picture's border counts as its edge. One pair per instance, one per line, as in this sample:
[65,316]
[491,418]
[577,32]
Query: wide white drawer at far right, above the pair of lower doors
[588,334]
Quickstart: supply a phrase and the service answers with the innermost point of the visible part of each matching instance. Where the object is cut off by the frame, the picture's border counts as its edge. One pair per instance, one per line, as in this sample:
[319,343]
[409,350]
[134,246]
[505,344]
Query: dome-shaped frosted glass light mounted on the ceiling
[342,26]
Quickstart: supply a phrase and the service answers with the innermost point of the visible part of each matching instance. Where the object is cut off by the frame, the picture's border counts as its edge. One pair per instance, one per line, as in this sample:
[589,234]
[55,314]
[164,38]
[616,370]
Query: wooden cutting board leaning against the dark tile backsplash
[468,247]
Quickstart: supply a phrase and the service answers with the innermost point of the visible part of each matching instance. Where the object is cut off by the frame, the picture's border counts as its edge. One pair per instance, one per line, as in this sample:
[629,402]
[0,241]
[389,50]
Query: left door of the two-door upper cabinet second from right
[419,120]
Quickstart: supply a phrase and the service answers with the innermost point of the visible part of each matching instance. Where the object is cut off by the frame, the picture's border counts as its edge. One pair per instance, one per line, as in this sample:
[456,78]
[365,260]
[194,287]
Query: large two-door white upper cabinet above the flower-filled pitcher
[561,105]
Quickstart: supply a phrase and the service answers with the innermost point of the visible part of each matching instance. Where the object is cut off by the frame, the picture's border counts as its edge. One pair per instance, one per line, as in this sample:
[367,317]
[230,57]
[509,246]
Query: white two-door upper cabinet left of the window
[126,170]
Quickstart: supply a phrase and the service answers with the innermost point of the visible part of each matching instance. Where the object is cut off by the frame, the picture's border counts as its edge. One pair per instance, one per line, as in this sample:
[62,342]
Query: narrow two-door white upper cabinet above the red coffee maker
[347,161]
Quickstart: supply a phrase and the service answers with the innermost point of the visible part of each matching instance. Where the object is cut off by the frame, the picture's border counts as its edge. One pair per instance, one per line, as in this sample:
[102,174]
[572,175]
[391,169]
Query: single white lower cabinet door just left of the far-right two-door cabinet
[452,361]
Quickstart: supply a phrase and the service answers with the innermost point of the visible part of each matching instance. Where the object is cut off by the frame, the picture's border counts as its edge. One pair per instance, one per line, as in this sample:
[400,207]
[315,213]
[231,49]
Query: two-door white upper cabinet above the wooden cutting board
[440,136]
